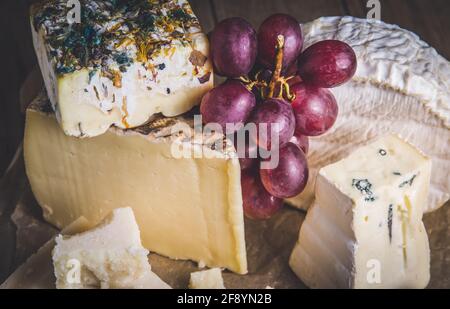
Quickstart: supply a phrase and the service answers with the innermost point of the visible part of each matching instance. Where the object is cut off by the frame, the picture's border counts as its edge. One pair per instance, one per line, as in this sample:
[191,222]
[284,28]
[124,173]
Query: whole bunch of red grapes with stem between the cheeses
[271,81]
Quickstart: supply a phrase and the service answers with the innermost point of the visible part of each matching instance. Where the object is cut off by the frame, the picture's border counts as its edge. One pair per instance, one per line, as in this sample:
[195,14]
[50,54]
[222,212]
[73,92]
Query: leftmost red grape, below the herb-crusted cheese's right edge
[230,102]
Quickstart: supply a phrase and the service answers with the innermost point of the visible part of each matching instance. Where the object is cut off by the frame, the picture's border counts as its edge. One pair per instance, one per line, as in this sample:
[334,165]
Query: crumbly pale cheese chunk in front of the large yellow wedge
[109,256]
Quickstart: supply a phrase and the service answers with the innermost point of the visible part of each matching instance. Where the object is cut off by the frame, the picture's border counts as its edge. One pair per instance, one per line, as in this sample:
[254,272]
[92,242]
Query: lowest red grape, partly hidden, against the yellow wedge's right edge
[258,203]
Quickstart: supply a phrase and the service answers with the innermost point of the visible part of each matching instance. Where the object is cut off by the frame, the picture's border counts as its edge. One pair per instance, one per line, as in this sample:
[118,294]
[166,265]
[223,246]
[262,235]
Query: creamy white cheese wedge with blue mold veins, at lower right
[365,228]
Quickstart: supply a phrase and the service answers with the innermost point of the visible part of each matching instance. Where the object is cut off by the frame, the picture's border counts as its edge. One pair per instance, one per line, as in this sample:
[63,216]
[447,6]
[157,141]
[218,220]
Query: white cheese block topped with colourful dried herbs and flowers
[124,62]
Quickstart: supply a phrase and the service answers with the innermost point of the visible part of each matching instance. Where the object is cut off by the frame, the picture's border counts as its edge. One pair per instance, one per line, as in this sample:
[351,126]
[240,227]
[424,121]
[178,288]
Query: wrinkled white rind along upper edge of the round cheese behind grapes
[391,57]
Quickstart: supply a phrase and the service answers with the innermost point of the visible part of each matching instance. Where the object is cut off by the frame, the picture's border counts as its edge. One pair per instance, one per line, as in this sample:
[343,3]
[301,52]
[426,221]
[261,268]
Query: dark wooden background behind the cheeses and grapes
[430,19]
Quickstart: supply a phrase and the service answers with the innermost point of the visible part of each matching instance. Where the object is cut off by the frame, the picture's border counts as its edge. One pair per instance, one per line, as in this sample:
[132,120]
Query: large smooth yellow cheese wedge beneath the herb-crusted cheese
[186,208]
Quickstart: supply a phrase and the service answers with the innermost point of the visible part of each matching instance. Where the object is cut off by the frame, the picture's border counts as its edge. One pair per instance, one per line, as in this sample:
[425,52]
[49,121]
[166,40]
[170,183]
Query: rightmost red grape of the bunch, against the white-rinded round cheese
[327,64]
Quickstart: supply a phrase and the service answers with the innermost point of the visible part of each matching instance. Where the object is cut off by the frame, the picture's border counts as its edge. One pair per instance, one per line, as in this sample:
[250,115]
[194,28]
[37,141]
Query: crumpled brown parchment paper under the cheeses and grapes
[269,244]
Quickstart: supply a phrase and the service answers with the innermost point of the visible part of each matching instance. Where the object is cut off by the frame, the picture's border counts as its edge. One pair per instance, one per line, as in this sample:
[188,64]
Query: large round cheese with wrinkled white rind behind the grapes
[402,85]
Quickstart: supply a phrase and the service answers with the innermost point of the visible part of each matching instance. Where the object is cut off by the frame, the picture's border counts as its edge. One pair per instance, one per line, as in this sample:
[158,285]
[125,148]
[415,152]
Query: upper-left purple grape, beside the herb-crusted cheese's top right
[233,47]
